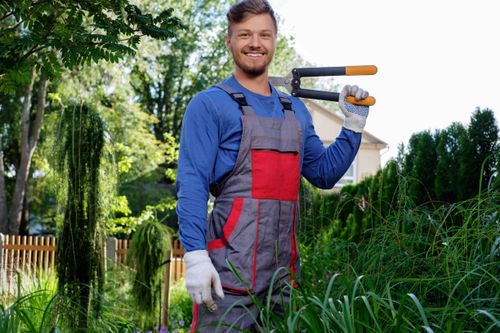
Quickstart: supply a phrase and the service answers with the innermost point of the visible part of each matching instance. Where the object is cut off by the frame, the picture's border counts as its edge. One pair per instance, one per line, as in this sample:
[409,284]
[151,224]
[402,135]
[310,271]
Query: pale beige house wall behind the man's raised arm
[328,125]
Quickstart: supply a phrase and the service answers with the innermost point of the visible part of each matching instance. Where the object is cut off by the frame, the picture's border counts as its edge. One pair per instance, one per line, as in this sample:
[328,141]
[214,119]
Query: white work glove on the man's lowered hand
[201,276]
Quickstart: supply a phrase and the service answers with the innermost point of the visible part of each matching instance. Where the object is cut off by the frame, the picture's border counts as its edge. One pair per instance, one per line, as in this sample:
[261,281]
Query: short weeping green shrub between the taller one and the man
[148,253]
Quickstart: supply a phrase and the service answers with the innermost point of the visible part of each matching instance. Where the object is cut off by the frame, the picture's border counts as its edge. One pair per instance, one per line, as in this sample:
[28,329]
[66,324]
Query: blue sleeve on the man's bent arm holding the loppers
[323,167]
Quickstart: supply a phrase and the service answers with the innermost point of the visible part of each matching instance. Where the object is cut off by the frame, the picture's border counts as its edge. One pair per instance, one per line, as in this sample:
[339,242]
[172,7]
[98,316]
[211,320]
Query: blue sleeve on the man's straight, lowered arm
[198,150]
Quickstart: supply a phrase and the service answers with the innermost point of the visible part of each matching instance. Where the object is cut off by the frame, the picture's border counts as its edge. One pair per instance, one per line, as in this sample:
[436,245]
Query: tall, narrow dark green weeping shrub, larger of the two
[81,138]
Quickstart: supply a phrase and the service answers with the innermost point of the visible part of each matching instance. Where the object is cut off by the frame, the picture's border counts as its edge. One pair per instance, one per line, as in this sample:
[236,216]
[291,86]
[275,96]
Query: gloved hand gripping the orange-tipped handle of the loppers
[355,115]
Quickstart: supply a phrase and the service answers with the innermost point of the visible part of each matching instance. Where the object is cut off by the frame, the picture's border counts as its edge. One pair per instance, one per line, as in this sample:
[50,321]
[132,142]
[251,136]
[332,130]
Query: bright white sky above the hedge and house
[437,60]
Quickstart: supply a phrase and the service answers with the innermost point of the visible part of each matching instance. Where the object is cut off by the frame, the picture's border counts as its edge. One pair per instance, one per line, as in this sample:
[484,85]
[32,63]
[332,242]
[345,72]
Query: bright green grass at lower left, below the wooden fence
[35,307]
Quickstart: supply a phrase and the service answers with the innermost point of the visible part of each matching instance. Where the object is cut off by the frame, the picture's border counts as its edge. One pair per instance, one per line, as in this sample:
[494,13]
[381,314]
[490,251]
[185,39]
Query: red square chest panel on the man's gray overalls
[275,175]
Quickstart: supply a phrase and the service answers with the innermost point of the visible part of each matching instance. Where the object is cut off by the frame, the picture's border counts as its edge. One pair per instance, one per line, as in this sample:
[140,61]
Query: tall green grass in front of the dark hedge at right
[443,260]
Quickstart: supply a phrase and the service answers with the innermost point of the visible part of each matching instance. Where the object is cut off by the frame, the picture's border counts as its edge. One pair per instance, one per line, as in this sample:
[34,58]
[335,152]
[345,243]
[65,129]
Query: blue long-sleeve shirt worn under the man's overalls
[210,139]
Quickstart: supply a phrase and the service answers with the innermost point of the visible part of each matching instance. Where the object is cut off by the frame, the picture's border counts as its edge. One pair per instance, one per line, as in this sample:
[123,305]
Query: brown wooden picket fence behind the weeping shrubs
[32,255]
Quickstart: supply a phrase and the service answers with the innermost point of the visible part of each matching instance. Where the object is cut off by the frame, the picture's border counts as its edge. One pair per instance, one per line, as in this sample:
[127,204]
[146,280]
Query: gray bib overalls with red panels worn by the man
[253,223]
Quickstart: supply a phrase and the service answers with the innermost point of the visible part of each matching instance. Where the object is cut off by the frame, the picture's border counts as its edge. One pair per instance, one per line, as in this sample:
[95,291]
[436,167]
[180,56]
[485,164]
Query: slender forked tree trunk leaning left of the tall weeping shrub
[29,139]
